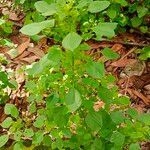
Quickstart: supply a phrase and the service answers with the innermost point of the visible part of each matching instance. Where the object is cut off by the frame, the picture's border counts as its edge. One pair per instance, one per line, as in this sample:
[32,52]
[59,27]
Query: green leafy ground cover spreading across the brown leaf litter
[72,101]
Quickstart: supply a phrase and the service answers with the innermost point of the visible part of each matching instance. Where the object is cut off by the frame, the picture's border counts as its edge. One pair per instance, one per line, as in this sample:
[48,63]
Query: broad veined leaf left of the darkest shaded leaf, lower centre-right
[94,120]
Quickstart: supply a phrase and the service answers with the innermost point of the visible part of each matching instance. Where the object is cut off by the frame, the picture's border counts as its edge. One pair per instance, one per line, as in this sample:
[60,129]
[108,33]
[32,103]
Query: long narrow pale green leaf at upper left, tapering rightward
[35,28]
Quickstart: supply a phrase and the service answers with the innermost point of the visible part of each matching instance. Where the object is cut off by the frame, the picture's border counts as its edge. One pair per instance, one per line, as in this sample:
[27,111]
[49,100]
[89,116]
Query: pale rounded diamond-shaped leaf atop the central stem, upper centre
[71,41]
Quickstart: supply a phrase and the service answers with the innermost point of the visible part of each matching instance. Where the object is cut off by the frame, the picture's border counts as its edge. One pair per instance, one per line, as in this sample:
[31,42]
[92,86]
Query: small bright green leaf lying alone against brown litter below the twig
[110,54]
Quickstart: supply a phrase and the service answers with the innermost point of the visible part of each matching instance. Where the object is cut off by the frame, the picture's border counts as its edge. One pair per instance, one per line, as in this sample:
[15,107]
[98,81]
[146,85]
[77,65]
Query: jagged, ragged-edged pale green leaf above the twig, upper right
[105,29]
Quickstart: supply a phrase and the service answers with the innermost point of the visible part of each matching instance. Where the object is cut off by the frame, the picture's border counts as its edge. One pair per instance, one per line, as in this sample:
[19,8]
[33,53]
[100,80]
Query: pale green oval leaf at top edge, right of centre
[97,6]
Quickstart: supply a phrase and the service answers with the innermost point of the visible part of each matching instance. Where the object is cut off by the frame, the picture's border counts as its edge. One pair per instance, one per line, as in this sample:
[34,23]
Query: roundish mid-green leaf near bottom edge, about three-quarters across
[117,138]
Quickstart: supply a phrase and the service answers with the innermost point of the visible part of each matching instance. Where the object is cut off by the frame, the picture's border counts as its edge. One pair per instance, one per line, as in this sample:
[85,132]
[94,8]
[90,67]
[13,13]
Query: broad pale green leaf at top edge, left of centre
[45,8]
